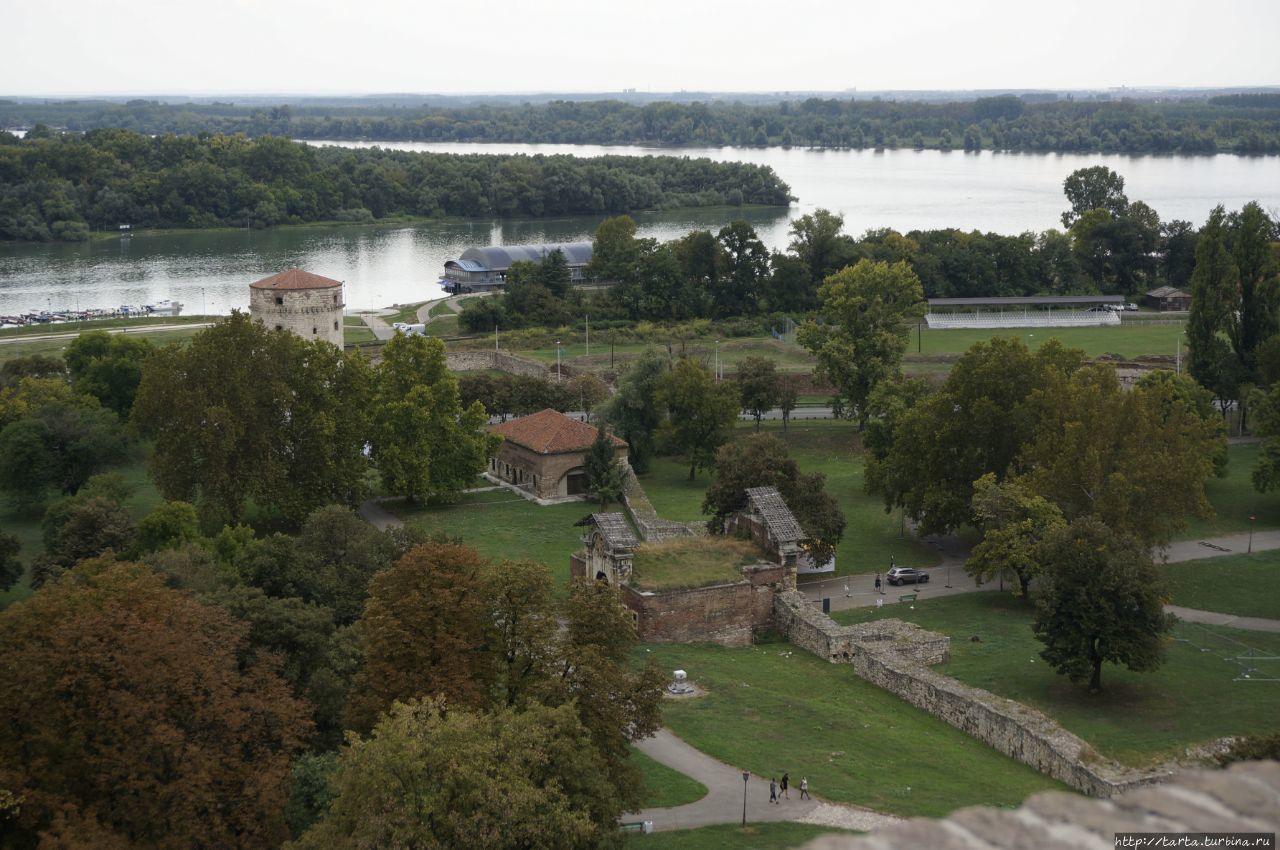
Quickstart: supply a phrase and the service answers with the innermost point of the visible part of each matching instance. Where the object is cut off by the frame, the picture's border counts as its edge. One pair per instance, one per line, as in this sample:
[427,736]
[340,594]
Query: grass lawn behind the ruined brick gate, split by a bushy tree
[820,446]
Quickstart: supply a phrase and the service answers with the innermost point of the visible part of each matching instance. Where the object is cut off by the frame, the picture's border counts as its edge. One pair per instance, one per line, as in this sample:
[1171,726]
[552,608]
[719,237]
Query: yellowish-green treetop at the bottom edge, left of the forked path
[435,778]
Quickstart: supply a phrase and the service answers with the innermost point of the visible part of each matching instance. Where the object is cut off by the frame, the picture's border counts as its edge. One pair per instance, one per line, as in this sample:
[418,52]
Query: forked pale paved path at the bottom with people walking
[724,801]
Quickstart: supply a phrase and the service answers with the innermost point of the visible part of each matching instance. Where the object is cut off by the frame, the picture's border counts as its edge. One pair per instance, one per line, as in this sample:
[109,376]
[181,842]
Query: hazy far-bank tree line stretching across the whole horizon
[1240,124]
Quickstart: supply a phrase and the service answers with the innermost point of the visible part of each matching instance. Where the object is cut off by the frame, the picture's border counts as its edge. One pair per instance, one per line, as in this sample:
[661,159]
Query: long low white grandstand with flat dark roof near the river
[1025,312]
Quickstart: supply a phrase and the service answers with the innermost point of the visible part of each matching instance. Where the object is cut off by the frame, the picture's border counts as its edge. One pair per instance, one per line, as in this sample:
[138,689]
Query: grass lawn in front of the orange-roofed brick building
[502,525]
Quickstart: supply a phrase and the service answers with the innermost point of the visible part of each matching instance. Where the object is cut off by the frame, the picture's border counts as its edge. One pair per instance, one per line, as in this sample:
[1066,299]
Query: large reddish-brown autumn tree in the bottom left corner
[170,741]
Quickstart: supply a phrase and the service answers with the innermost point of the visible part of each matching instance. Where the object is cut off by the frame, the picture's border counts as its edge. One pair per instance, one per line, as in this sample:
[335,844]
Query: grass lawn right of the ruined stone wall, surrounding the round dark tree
[1139,719]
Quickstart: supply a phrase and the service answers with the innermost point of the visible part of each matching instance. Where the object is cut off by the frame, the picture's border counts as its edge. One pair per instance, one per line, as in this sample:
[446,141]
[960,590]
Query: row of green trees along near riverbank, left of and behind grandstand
[1109,245]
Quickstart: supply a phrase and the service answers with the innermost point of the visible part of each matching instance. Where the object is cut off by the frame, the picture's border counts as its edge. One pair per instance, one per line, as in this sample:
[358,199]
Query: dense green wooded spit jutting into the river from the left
[61,186]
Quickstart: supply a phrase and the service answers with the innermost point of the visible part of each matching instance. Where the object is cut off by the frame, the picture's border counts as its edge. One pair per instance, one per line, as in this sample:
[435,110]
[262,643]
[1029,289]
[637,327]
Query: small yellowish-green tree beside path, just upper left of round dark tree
[1014,524]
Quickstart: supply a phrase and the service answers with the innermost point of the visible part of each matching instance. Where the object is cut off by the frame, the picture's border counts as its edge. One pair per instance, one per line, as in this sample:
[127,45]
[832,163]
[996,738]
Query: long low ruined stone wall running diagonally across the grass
[895,656]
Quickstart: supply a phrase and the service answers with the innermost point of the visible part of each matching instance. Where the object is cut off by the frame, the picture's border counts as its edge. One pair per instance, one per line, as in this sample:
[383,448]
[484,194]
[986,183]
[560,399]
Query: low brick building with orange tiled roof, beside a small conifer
[546,454]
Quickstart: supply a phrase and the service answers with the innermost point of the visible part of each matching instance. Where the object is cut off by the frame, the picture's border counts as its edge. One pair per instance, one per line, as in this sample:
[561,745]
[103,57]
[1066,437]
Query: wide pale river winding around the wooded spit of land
[383,266]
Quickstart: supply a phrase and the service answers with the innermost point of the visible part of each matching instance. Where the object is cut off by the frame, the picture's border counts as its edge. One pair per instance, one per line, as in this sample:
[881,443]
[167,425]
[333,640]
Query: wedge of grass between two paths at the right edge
[1246,586]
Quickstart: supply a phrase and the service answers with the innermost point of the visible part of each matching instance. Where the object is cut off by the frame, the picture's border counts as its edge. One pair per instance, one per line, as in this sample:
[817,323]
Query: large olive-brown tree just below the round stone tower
[246,413]
